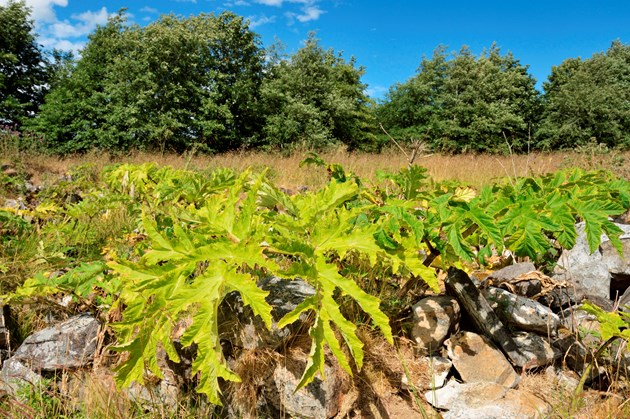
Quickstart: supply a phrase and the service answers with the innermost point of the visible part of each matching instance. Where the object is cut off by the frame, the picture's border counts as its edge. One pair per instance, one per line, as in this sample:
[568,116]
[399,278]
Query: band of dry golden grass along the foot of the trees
[476,170]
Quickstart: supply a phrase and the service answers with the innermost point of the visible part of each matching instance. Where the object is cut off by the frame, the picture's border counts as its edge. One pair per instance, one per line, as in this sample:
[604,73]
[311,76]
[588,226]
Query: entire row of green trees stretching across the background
[206,83]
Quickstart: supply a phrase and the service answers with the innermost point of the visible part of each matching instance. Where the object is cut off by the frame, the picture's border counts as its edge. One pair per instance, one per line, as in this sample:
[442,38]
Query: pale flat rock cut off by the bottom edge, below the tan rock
[485,400]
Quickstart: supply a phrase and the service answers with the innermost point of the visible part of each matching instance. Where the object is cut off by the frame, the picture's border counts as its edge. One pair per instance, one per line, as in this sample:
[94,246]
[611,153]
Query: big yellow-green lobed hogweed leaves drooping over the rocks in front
[214,249]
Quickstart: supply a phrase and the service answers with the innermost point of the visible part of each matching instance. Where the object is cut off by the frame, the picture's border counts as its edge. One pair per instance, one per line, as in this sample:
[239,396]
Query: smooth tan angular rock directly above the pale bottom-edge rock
[476,359]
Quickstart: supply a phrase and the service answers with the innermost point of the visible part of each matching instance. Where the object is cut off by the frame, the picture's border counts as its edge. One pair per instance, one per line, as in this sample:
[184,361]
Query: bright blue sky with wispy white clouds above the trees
[387,38]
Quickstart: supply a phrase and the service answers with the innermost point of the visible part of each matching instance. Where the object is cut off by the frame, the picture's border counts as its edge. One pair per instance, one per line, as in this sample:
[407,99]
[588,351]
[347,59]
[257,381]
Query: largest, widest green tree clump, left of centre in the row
[174,84]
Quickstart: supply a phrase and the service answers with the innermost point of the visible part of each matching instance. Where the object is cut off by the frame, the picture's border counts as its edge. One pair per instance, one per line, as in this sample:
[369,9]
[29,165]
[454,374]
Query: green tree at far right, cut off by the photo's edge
[588,100]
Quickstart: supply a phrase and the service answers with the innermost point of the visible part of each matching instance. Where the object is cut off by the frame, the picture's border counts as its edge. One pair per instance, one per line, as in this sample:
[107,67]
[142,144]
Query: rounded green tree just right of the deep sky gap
[464,103]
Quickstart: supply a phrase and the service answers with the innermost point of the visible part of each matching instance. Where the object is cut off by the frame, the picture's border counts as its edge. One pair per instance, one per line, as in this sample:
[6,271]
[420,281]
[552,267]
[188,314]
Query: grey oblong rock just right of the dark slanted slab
[521,312]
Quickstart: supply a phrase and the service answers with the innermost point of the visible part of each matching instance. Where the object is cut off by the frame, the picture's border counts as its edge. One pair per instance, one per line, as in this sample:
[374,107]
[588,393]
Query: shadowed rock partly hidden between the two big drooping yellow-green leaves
[241,328]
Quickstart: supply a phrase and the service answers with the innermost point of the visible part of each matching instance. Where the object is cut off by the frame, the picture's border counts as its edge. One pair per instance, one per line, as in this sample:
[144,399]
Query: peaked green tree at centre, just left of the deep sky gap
[316,98]
